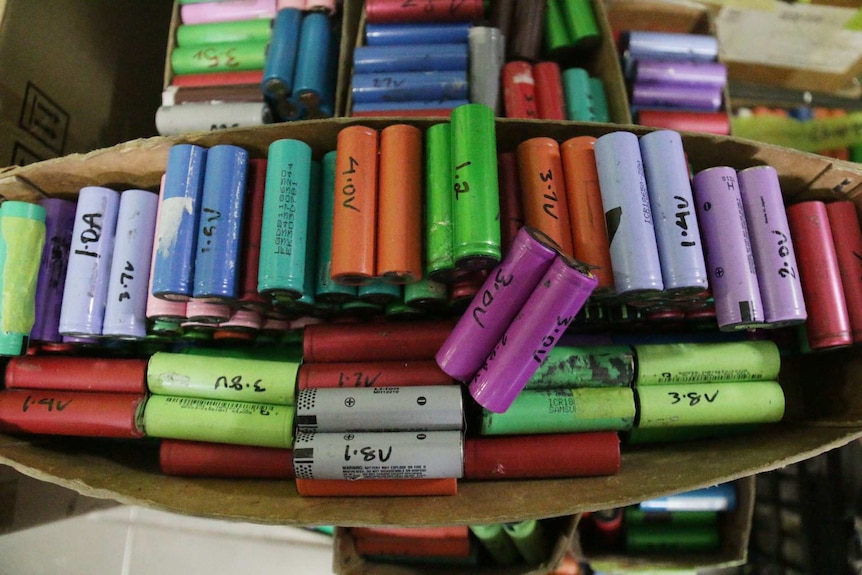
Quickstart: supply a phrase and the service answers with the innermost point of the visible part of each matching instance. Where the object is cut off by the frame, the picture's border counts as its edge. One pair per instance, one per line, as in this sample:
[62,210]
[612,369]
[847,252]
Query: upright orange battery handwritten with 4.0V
[355,212]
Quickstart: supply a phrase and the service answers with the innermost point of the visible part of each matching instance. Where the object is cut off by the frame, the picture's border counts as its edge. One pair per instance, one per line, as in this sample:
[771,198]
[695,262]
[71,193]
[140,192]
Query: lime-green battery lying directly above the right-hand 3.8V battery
[707,362]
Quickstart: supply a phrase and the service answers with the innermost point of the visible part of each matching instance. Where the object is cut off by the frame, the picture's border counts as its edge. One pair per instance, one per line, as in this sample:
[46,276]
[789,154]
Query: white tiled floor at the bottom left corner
[127,540]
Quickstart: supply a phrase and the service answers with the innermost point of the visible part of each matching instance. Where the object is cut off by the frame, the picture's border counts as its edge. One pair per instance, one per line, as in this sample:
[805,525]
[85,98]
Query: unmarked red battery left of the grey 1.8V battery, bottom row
[203,459]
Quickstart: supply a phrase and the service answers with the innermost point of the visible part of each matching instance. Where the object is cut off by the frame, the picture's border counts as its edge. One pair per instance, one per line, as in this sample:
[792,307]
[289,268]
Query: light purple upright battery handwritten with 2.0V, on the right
[774,256]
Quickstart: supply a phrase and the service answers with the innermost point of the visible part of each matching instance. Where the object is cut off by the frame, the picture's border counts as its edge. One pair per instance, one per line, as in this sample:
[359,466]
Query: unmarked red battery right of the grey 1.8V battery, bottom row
[534,456]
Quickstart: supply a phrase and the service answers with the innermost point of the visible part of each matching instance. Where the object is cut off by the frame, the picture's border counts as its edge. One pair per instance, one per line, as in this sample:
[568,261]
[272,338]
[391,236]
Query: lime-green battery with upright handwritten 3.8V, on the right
[695,404]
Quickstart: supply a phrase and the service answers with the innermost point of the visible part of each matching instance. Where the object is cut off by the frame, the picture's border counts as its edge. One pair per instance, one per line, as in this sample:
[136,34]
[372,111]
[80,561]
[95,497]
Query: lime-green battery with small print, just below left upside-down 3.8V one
[219,421]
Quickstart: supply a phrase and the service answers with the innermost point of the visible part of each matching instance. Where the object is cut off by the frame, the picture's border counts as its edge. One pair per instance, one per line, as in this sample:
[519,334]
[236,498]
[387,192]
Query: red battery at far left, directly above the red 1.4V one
[77,374]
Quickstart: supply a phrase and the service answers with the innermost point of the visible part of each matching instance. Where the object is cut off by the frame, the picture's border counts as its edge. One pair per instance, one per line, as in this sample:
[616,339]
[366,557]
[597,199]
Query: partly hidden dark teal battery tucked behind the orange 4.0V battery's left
[326,290]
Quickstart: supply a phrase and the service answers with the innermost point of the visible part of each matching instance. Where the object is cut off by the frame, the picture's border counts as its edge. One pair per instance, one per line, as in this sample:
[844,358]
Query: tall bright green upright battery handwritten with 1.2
[475,189]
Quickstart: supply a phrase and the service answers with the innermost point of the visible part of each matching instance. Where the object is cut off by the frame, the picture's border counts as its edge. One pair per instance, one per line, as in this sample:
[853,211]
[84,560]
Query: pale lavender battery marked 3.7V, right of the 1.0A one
[126,307]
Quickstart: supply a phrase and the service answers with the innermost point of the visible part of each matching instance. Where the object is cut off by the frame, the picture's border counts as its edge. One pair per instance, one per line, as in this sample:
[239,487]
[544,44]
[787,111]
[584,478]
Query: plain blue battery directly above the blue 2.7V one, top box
[409,58]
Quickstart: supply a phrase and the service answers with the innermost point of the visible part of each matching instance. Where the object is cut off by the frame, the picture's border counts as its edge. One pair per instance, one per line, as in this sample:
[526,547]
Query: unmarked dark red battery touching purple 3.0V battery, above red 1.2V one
[377,341]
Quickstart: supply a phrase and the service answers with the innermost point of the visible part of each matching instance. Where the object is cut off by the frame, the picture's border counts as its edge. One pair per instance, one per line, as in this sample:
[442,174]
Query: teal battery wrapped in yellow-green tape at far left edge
[22,238]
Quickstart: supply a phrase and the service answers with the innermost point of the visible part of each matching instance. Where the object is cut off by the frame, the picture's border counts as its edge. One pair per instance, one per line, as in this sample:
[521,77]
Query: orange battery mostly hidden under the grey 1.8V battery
[376,487]
